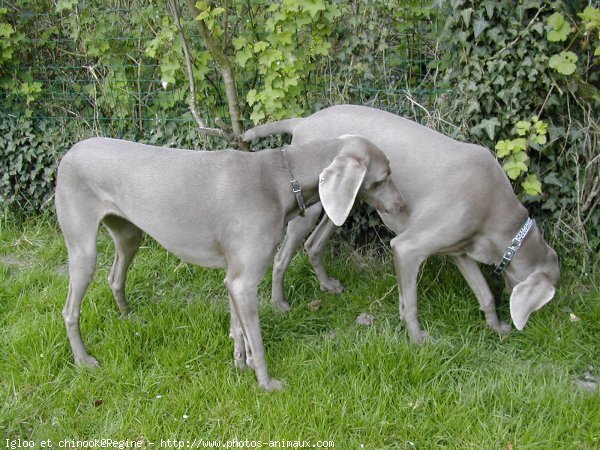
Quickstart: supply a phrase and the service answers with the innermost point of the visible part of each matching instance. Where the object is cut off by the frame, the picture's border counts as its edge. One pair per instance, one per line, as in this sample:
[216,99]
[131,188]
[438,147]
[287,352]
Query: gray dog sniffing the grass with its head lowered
[460,203]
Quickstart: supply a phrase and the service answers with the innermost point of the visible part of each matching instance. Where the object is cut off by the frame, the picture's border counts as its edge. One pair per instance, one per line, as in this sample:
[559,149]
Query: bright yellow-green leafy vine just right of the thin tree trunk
[287,40]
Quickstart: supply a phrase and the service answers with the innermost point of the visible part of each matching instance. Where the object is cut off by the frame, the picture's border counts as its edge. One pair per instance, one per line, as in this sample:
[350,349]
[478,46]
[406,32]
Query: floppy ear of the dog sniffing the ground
[529,296]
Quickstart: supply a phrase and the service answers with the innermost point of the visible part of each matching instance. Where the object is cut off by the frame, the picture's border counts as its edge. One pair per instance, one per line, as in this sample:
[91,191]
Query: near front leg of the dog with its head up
[244,301]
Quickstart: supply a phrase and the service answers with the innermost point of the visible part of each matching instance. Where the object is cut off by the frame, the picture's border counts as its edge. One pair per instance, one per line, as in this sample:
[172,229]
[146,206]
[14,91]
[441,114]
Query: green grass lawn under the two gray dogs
[167,372]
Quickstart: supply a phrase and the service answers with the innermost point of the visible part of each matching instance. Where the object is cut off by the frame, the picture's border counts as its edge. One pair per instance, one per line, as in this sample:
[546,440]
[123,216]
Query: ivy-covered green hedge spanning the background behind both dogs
[518,77]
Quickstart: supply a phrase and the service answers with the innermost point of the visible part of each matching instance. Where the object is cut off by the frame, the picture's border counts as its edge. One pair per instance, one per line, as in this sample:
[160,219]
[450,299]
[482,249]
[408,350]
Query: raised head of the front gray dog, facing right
[360,170]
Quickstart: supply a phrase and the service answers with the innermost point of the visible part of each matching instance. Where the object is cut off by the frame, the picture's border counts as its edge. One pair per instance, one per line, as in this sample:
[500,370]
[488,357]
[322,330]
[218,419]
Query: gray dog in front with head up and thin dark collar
[224,209]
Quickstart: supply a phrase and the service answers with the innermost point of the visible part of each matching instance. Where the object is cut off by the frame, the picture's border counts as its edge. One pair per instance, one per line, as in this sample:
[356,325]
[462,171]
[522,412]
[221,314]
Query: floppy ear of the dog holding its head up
[338,186]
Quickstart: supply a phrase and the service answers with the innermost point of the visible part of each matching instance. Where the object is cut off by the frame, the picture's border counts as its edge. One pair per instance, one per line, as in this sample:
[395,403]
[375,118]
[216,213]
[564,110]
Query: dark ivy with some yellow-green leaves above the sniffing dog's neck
[503,61]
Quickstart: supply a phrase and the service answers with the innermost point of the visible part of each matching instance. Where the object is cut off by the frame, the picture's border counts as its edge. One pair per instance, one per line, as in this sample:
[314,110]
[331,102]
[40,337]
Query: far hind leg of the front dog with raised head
[127,238]
